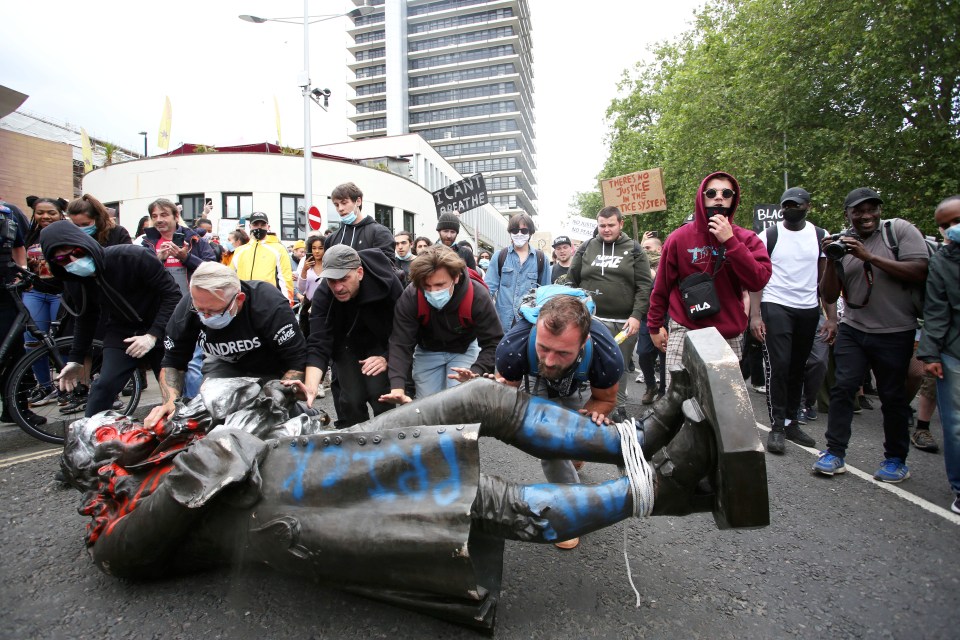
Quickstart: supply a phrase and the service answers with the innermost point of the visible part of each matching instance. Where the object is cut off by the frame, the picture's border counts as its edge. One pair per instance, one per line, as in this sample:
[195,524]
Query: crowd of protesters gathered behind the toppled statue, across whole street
[379,318]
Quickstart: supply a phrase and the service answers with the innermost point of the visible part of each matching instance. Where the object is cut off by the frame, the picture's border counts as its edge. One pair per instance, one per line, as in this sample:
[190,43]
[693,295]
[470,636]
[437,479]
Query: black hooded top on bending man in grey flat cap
[362,324]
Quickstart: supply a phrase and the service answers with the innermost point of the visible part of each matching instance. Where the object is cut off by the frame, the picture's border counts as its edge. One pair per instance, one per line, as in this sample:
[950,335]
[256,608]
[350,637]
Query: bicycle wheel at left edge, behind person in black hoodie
[47,419]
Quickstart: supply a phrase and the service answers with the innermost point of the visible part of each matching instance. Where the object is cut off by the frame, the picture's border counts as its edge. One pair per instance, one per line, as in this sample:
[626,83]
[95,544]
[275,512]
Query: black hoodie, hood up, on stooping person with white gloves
[130,293]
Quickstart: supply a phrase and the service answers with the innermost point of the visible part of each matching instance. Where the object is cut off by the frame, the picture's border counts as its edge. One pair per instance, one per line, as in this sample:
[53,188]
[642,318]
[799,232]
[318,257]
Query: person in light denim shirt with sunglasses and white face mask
[516,269]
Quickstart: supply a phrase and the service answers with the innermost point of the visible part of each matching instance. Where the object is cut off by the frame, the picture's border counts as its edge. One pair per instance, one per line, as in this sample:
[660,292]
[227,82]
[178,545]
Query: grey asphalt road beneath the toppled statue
[842,558]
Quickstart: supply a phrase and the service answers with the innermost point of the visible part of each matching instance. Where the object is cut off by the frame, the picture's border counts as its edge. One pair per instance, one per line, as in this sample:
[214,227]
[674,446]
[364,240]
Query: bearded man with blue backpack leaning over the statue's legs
[571,351]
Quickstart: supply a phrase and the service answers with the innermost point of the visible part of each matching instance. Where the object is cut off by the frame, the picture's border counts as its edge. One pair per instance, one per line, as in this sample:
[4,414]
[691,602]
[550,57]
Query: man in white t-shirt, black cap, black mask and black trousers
[785,319]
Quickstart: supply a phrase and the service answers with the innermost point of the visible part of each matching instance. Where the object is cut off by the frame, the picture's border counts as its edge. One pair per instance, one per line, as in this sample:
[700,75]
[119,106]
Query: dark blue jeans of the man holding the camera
[888,355]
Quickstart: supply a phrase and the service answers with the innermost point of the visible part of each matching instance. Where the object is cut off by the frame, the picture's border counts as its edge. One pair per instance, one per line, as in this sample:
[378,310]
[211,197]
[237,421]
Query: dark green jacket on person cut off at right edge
[941,310]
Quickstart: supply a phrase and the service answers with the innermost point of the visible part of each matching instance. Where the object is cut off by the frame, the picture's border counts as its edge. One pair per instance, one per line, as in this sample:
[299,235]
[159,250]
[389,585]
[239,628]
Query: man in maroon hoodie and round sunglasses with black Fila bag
[710,245]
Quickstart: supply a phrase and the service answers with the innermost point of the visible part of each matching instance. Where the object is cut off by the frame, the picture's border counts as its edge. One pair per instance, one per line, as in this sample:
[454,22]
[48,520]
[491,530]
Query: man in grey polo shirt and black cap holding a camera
[878,326]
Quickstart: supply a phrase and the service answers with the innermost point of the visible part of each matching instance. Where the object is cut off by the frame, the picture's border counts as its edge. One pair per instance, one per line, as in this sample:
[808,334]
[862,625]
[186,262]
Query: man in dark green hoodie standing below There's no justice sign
[615,265]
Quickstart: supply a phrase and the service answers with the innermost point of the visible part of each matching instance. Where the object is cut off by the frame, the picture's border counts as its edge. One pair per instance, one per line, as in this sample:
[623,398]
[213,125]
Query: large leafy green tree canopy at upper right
[838,95]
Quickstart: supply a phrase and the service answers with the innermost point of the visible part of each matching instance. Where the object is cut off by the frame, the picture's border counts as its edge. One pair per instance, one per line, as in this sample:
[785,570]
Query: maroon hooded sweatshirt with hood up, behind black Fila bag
[693,249]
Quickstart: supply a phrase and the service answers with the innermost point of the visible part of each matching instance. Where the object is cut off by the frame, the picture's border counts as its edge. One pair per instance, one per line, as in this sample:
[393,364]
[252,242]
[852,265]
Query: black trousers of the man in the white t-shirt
[790,334]
